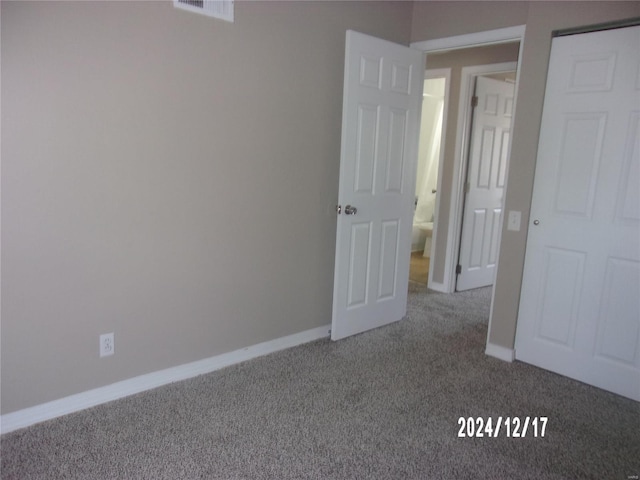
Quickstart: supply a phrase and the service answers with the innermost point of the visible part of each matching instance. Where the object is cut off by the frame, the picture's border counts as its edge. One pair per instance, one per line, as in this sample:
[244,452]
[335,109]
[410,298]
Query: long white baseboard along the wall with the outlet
[74,403]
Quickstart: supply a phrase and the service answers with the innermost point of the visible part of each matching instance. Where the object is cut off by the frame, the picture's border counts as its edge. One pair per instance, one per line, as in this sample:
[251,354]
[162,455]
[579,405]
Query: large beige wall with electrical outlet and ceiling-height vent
[167,177]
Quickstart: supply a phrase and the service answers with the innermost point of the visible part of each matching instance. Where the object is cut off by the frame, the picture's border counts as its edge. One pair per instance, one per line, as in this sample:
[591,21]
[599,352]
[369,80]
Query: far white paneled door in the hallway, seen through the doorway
[486,176]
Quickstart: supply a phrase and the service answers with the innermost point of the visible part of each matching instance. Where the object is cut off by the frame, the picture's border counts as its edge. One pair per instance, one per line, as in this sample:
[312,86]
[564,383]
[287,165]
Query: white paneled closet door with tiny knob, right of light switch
[580,302]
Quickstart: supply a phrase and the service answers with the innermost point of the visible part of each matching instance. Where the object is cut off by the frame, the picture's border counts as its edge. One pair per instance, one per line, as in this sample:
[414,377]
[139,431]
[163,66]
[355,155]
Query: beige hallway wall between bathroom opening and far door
[456,60]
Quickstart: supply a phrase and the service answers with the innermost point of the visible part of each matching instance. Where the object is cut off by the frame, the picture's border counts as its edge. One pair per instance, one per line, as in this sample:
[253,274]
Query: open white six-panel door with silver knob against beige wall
[380,128]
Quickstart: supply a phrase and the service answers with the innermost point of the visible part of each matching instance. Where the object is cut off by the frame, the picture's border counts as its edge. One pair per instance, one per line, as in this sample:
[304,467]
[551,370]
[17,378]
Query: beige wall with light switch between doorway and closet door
[440,19]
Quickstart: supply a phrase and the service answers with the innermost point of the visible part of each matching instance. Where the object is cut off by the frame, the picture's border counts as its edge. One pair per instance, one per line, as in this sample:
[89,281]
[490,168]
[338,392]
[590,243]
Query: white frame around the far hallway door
[464,131]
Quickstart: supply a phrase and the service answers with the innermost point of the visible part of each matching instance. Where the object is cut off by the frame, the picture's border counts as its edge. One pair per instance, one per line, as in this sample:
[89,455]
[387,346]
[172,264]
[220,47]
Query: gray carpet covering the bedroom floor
[381,405]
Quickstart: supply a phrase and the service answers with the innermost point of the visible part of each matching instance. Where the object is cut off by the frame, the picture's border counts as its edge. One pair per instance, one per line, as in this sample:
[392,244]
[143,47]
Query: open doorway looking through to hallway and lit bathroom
[443,150]
